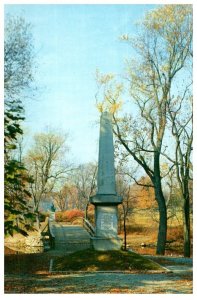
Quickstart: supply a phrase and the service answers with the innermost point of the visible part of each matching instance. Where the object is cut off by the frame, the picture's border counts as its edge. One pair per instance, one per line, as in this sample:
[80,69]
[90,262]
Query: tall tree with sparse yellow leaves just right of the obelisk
[162,46]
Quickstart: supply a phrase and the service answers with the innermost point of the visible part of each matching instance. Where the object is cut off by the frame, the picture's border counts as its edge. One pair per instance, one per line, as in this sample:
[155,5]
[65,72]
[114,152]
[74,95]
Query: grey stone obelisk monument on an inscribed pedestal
[106,199]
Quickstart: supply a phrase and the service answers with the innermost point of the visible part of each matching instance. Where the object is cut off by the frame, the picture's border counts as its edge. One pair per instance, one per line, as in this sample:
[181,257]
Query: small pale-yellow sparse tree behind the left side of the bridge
[45,165]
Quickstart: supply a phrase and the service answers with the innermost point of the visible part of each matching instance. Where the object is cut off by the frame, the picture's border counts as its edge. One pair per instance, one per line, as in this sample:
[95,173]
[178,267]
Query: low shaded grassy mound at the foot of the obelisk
[91,260]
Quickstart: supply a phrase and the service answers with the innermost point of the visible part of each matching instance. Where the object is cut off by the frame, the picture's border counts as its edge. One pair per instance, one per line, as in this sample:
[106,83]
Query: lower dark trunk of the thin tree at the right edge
[186,226]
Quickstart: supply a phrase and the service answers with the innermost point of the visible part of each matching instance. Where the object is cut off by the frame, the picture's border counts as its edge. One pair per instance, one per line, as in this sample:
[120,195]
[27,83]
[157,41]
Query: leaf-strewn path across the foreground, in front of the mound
[179,281]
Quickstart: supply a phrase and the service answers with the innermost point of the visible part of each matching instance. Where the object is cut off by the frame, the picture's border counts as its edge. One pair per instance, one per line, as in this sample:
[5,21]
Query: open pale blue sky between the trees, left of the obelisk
[71,41]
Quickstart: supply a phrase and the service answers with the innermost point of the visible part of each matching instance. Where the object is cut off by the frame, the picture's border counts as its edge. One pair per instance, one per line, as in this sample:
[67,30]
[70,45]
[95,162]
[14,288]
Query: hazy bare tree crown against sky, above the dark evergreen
[18,57]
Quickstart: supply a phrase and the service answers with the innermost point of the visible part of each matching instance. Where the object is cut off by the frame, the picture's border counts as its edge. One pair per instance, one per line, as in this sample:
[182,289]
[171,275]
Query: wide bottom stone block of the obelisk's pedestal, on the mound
[105,244]
